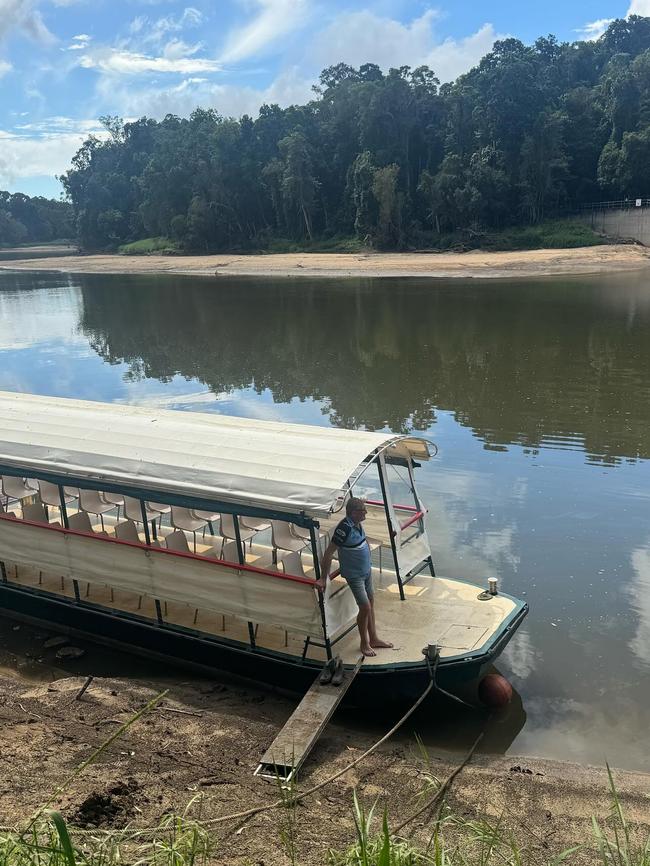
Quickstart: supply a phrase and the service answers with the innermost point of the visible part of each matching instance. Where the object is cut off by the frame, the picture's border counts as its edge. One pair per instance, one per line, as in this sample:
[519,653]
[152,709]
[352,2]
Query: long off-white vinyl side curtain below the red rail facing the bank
[209,585]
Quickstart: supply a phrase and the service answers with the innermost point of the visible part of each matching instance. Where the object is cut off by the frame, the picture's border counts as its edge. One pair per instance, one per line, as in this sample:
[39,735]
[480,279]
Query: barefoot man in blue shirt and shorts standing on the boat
[350,541]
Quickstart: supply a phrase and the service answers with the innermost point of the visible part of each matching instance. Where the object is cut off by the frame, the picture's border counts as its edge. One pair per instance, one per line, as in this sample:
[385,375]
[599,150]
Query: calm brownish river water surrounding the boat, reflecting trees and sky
[537,394]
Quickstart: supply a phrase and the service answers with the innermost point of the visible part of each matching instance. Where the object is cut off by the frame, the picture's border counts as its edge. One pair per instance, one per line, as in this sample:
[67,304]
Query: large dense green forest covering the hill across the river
[393,158]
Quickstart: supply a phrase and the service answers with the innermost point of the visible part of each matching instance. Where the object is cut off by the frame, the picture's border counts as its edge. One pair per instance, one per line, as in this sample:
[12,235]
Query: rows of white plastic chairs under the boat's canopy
[286,538]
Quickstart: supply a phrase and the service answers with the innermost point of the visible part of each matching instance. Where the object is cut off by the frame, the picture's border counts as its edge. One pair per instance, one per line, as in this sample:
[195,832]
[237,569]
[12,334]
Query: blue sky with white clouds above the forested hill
[65,63]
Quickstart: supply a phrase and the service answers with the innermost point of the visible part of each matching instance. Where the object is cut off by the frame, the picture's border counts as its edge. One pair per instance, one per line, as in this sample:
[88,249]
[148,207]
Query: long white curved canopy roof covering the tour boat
[261,464]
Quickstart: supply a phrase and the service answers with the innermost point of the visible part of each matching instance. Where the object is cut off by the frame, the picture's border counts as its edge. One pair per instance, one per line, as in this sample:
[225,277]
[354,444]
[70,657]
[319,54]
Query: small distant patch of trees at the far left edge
[33,220]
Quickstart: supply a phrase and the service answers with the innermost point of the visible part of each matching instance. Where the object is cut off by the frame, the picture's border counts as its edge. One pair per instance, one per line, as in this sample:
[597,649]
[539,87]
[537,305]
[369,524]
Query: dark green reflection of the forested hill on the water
[552,364]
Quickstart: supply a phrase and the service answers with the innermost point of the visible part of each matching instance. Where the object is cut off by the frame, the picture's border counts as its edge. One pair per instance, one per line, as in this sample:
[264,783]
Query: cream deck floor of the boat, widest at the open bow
[437,610]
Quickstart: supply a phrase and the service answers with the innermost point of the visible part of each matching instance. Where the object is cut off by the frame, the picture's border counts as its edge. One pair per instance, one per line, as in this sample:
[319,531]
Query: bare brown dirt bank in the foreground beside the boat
[206,737]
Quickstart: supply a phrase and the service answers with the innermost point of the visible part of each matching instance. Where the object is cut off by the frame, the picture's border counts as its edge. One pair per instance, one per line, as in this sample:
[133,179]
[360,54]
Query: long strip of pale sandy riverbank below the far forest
[584,260]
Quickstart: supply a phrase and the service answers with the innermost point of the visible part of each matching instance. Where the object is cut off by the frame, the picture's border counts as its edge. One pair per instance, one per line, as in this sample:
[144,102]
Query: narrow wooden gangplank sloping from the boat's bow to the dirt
[288,751]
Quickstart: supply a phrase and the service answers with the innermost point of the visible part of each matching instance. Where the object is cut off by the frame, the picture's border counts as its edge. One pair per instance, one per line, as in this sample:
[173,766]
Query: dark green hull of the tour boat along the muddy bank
[375,685]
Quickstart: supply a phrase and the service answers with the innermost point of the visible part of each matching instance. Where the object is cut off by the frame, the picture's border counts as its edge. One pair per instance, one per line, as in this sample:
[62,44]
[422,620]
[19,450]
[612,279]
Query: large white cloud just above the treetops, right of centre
[363,37]
